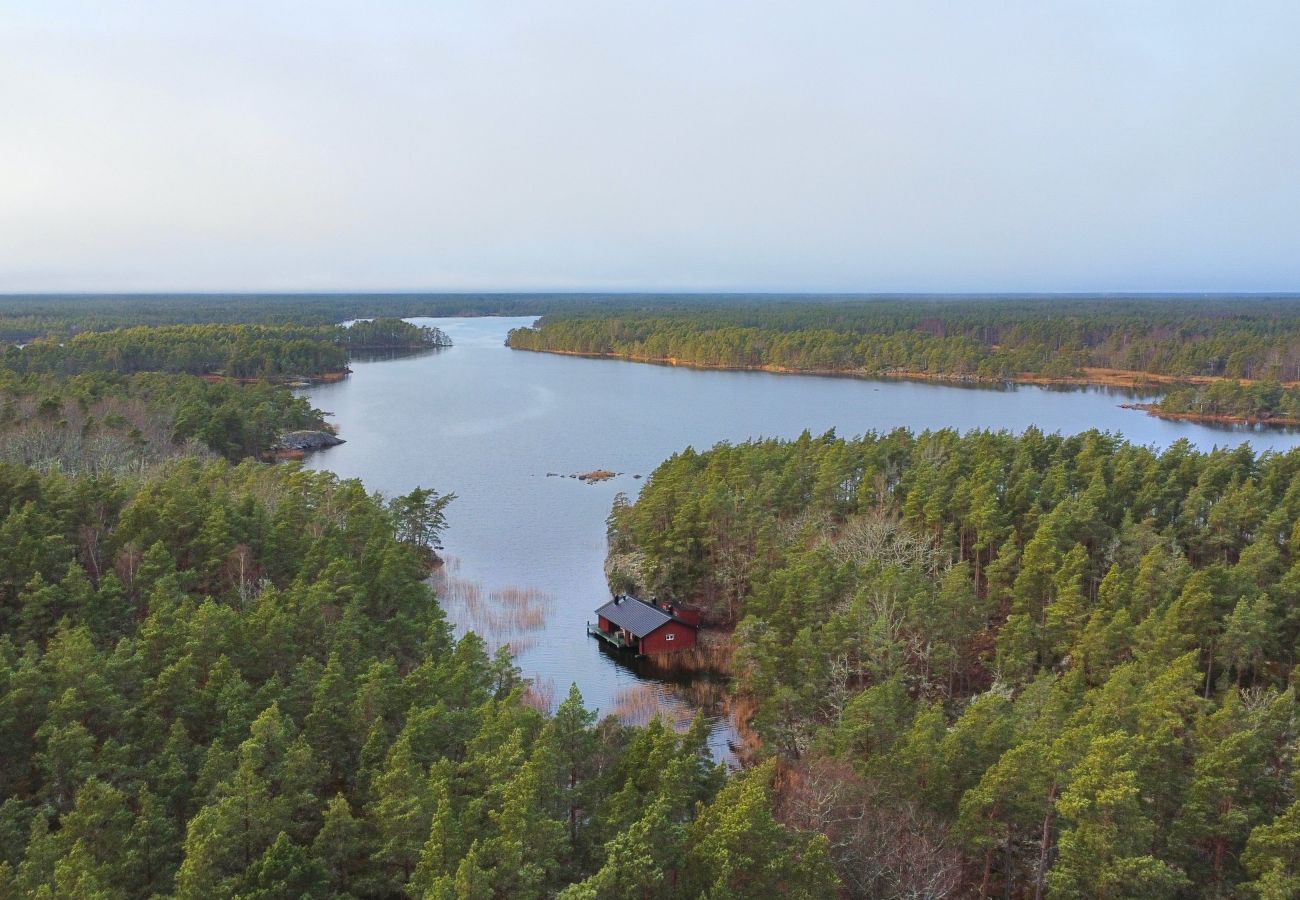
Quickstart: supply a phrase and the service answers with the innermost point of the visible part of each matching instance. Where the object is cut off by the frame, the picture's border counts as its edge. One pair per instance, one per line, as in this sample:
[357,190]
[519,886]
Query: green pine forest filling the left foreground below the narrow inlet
[233,682]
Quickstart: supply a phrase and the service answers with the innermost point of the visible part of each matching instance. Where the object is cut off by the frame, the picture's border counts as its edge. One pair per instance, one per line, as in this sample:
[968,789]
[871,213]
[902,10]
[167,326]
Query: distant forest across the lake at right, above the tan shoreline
[991,339]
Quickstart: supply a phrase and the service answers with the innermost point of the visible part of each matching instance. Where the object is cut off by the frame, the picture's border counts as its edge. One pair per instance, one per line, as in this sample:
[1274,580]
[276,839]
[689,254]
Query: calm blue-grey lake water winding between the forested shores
[527,548]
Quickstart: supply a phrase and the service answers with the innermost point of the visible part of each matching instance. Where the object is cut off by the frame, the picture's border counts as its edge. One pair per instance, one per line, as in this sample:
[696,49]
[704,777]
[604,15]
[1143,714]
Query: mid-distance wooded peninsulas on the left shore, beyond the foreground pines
[124,400]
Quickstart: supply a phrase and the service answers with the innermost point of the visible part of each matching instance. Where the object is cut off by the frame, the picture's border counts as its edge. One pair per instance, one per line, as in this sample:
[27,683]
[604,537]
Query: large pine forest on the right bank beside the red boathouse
[1004,667]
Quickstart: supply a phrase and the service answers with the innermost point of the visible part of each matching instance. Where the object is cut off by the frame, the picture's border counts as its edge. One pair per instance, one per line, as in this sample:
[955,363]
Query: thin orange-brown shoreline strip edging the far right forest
[1090,378]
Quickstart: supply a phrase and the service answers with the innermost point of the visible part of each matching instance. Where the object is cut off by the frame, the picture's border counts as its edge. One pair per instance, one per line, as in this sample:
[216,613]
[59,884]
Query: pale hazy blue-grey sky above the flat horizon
[626,145]
